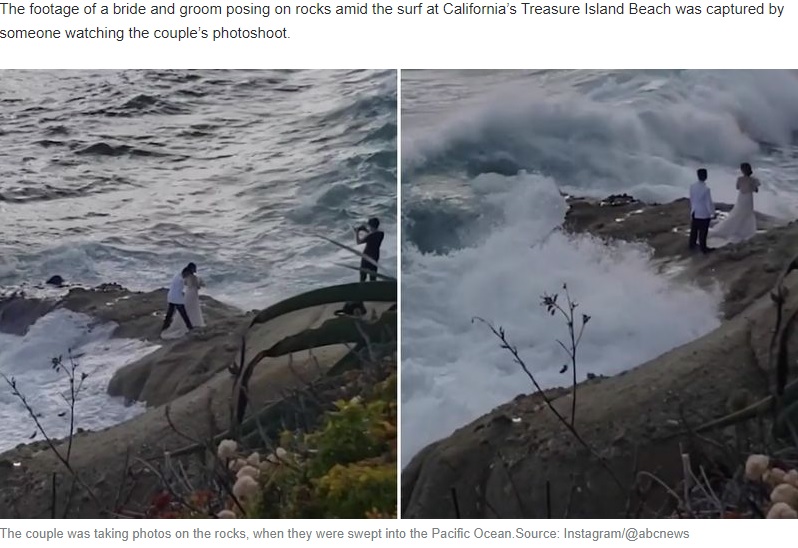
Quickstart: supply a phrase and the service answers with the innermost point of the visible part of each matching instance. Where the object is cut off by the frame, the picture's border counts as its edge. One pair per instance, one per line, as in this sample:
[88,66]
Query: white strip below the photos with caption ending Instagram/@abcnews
[702,533]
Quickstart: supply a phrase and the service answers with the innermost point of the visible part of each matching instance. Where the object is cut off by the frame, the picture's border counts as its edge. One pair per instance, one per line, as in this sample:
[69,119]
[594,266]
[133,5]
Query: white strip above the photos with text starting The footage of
[421,41]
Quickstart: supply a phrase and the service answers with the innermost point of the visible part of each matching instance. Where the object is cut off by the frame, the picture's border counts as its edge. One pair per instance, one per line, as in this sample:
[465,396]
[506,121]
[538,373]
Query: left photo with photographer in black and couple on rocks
[198,295]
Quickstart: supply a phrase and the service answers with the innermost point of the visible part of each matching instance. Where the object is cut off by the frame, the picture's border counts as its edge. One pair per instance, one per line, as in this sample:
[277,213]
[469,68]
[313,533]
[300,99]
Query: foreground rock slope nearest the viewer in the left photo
[110,461]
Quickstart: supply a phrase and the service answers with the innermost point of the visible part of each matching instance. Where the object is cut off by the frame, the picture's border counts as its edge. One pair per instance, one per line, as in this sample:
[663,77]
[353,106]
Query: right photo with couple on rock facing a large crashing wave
[598,296]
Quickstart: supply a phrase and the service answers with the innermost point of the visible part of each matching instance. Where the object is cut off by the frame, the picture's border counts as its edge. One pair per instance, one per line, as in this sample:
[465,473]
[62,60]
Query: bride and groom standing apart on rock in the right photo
[741,222]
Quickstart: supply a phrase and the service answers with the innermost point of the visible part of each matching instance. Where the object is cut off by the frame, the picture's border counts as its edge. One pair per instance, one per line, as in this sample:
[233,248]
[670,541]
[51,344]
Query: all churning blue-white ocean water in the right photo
[485,156]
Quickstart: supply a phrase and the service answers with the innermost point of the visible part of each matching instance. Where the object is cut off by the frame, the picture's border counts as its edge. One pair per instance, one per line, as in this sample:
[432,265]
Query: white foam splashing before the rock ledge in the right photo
[453,369]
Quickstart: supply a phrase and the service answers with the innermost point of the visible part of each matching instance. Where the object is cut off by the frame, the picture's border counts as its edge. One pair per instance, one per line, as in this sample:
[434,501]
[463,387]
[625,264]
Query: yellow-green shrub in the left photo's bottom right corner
[345,469]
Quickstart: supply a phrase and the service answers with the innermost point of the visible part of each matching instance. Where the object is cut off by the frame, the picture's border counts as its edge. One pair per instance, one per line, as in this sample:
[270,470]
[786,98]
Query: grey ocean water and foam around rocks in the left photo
[125,176]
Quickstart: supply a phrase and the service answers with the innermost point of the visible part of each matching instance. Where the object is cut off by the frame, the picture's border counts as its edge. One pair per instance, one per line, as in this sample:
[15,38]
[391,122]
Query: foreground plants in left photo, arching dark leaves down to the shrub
[337,459]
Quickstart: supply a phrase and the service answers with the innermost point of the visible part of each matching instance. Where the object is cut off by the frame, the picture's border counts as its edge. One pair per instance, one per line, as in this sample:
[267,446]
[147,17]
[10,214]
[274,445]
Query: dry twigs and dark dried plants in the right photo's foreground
[751,472]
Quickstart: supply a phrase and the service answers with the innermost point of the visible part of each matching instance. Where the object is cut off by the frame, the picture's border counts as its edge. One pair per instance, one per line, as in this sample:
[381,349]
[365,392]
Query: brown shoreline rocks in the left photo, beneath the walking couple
[193,377]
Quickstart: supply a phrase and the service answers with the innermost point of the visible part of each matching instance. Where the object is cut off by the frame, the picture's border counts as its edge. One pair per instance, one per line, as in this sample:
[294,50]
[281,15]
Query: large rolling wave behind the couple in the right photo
[598,132]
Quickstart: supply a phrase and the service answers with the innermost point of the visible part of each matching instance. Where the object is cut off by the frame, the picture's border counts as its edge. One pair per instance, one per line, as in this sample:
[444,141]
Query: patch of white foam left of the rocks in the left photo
[28,360]
